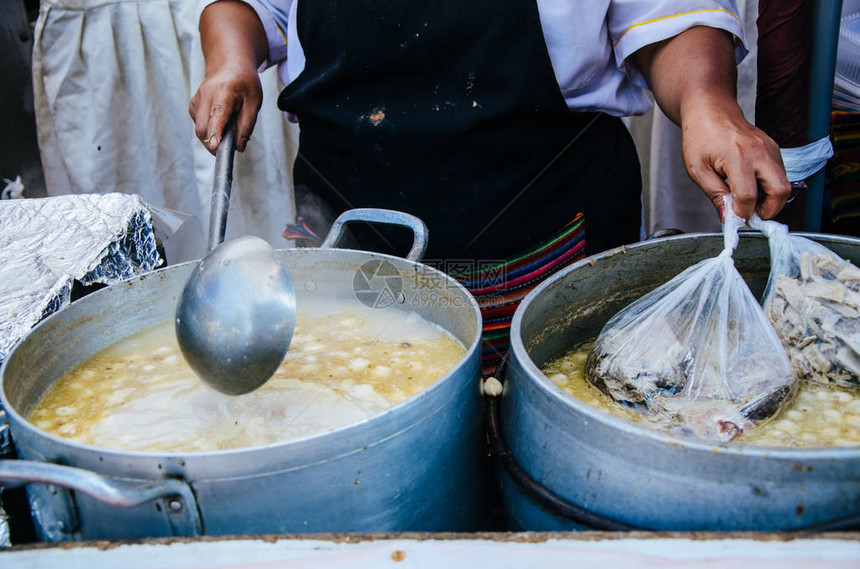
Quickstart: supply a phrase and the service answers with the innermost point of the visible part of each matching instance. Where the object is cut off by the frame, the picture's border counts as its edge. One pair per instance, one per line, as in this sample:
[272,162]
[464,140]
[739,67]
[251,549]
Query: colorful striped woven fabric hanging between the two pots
[499,288]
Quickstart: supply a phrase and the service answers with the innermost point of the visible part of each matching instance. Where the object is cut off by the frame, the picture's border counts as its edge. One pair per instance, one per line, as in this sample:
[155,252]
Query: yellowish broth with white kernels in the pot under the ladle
[346,363]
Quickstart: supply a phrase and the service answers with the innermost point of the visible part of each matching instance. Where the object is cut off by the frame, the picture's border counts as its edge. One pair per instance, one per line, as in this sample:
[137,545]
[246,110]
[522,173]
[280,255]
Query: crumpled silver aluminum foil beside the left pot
[47,244]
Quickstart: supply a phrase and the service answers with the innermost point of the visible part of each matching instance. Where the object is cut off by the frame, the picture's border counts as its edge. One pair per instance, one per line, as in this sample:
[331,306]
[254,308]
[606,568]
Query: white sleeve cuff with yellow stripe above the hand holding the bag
[634,24]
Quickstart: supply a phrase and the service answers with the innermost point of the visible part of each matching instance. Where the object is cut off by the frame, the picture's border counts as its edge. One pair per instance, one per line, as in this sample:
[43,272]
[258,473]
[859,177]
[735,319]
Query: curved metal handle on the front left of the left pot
[181,506]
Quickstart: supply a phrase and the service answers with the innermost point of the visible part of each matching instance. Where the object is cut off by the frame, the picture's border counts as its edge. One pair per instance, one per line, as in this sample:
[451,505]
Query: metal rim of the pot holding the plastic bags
[561,398]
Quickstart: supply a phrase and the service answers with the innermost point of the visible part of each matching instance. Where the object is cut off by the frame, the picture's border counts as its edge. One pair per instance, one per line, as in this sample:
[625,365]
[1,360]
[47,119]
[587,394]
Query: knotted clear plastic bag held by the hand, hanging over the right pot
[697,354]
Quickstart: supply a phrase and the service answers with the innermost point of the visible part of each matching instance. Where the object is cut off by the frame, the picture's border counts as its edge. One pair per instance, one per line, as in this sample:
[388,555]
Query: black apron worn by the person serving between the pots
[451,111]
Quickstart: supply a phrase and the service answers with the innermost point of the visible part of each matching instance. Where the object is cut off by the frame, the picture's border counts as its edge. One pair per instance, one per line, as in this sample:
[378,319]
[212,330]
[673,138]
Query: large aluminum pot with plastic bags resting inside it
[628,475]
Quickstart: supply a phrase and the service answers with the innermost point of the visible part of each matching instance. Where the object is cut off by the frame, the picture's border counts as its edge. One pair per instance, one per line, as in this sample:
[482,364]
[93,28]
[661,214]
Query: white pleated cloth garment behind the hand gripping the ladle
[112,80]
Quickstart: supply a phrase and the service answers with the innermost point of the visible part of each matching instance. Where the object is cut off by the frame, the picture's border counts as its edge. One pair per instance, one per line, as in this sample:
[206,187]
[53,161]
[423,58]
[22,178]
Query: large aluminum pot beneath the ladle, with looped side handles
[416,466]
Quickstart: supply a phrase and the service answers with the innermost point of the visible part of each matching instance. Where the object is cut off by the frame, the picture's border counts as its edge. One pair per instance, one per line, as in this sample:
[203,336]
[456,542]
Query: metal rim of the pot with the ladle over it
[470,359]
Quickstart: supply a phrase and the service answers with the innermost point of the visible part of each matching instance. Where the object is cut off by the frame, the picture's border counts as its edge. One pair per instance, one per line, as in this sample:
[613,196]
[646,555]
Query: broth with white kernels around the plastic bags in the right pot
[818,415]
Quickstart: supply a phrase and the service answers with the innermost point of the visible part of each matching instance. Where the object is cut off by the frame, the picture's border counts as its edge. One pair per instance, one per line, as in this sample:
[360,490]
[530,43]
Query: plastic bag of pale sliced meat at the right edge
[813,301]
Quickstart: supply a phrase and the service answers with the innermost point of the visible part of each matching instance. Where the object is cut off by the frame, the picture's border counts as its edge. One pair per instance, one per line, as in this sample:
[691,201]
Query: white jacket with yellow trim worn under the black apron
[589,42]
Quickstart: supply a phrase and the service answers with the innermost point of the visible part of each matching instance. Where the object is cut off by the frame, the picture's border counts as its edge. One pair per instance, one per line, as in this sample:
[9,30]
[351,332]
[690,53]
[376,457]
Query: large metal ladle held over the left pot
[236,315]
